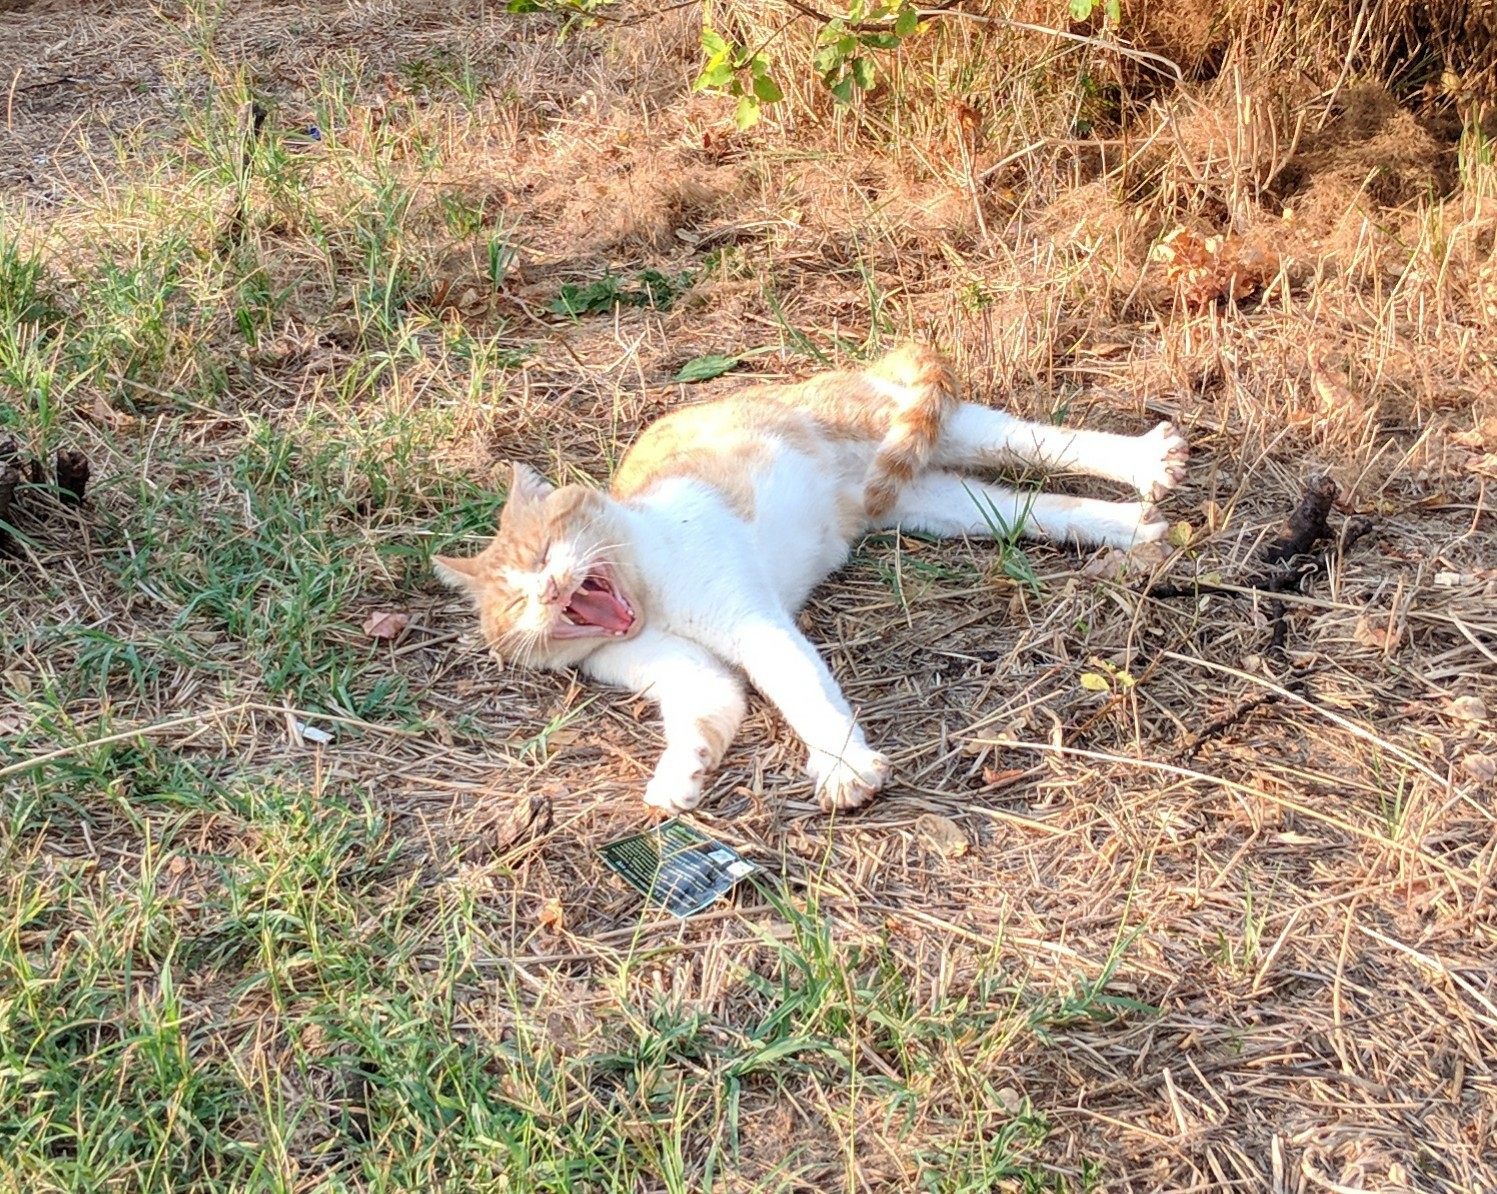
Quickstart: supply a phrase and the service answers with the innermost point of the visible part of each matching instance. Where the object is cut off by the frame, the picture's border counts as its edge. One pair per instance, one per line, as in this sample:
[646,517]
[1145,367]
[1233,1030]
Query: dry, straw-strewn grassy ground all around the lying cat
[1227,924]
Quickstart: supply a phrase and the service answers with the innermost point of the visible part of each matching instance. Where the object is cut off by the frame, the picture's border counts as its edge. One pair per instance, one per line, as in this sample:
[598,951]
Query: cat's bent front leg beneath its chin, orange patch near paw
[701,702]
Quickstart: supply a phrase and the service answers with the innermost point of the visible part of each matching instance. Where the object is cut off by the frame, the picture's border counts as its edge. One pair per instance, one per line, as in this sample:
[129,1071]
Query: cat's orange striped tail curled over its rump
[924,390]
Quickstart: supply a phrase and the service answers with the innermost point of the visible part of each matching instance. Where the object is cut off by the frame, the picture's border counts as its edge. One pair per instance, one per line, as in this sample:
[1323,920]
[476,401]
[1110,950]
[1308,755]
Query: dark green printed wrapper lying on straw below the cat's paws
[677,867]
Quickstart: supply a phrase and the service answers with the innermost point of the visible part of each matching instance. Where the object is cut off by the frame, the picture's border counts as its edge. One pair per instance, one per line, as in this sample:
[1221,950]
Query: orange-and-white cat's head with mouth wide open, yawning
[552,586]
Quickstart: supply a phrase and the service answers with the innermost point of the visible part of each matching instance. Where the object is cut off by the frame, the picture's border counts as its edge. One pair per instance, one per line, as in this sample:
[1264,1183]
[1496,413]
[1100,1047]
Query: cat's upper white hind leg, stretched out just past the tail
[974,438]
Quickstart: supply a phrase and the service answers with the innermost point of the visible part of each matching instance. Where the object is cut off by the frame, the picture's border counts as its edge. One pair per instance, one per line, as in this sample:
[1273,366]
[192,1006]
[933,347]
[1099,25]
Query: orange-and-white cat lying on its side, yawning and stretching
[722,518]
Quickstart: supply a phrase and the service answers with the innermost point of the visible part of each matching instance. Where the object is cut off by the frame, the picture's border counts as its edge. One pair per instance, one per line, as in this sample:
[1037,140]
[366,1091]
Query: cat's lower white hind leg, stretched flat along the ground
[950,505]
